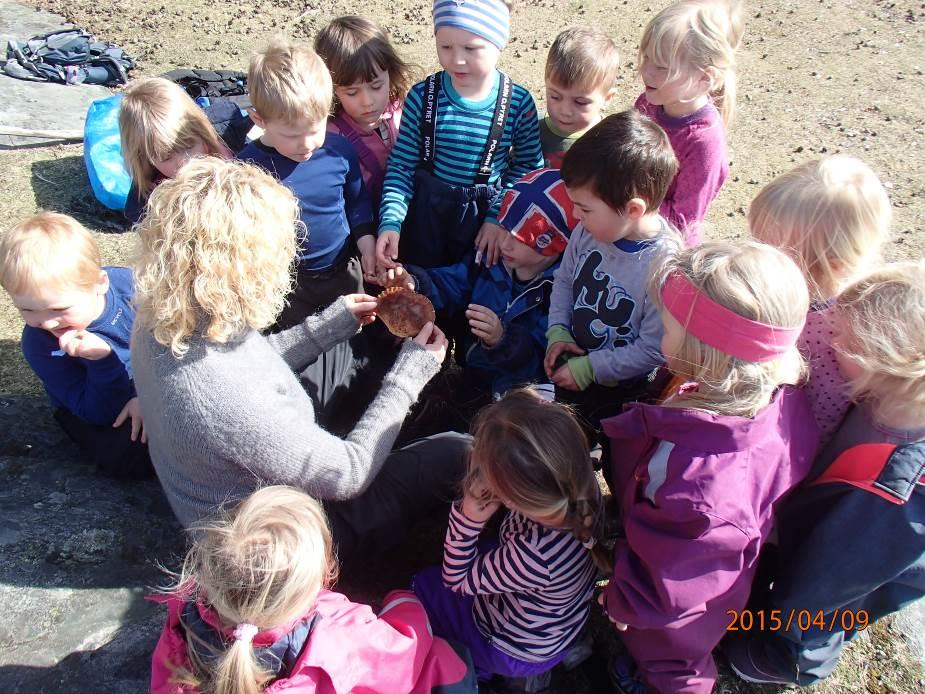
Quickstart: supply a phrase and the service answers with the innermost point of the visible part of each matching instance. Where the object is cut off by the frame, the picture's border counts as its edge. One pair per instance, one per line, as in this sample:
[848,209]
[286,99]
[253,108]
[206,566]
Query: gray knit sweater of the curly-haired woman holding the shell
[229,417]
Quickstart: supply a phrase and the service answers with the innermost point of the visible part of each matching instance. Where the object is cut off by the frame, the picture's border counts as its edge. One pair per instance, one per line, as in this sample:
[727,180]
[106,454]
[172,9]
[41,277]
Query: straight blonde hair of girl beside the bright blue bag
[157,119]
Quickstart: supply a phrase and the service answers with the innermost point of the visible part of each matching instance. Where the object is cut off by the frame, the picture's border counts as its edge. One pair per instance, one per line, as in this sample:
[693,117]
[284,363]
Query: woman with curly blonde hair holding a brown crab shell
[224,411]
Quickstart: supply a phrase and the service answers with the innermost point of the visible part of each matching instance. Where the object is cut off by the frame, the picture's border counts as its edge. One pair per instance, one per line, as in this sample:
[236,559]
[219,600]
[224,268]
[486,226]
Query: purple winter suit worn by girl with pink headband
[698,493]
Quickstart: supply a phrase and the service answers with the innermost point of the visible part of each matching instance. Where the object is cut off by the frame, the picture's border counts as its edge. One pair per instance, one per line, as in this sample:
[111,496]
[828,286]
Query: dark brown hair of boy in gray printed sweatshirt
[625,156]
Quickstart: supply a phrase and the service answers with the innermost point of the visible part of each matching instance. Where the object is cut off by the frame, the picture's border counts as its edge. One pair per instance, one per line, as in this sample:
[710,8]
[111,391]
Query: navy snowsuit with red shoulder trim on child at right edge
[849,546]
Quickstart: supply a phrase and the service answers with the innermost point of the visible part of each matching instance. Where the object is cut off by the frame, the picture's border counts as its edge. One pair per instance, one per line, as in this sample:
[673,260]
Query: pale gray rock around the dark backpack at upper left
[38,105]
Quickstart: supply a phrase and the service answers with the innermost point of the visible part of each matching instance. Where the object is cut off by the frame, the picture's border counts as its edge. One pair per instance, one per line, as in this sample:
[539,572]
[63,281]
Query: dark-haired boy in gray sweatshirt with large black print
[600,318]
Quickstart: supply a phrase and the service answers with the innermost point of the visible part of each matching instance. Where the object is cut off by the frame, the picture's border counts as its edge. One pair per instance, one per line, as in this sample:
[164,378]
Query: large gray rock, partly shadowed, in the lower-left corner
[78,553]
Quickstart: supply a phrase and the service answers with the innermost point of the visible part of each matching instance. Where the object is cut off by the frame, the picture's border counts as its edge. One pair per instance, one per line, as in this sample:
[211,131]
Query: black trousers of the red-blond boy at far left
[111,450]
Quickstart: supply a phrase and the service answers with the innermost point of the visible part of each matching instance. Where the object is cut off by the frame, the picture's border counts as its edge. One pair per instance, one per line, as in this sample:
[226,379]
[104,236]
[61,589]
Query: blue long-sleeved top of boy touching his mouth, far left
[94,390]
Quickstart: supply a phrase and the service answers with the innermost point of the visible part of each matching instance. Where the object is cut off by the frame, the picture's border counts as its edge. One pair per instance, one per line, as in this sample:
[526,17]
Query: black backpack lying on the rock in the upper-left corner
[68,56]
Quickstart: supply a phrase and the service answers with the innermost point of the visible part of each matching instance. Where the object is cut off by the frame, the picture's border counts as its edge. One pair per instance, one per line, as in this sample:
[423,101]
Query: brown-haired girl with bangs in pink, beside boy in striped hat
[370,84]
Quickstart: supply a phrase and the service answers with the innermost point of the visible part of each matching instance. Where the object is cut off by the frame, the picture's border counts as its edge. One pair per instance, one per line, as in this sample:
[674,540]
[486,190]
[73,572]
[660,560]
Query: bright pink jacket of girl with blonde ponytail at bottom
[348,649]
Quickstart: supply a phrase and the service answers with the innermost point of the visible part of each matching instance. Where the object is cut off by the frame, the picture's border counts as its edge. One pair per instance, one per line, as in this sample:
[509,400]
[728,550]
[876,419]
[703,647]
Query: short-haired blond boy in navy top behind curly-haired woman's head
[290,89]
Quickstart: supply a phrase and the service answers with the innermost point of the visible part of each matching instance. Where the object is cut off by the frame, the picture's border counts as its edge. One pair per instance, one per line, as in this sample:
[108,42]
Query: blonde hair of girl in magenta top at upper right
[698,34]
